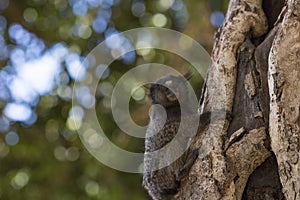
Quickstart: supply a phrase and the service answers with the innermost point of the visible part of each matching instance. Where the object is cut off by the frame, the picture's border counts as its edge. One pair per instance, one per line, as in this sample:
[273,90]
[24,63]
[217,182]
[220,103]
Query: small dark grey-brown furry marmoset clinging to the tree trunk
[167,92]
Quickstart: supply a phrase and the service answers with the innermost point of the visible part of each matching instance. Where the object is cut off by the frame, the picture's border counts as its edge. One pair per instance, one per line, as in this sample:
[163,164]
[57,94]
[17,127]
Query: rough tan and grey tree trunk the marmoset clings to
[254,75]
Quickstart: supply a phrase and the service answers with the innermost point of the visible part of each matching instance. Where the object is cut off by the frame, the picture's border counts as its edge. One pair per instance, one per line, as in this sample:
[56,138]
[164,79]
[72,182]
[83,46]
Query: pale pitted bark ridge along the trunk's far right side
[284,84]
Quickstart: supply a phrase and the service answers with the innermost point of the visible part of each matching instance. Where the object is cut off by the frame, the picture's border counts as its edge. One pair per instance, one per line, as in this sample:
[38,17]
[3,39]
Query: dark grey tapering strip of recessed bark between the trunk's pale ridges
[245,110]
